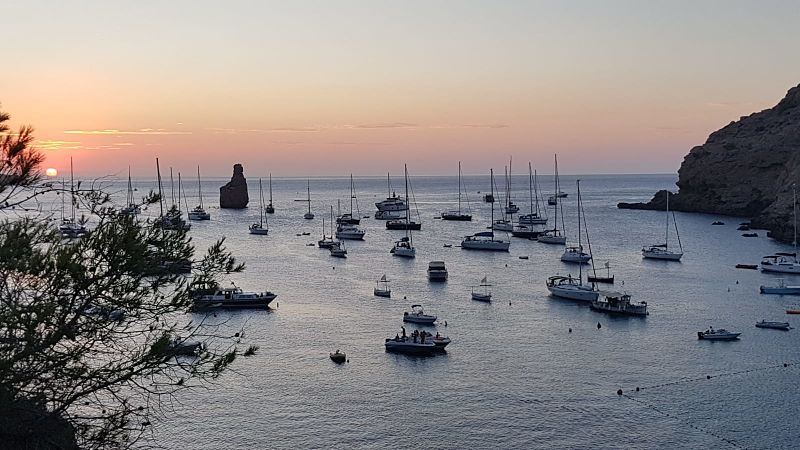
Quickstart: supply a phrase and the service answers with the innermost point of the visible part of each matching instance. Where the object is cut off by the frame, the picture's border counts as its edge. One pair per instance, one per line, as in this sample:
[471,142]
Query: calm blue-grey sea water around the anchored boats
[513,377]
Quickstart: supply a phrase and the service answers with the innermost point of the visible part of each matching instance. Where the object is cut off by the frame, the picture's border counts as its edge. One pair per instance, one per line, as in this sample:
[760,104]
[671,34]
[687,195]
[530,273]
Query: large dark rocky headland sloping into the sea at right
[745,169]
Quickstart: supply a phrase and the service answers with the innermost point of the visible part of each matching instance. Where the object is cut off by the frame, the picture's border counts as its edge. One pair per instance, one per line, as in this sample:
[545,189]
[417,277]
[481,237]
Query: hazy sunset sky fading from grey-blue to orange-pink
[333,87]
